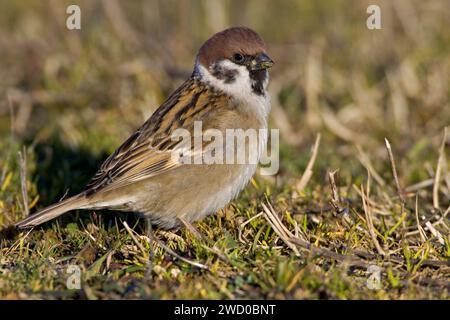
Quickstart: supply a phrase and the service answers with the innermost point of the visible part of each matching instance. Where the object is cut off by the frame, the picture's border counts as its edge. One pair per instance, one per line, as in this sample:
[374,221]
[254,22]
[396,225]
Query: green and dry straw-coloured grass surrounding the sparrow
[313,231]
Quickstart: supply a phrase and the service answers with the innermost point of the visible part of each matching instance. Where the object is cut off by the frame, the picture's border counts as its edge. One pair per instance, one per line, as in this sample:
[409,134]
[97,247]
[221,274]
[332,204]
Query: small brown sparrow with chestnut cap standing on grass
[227,90]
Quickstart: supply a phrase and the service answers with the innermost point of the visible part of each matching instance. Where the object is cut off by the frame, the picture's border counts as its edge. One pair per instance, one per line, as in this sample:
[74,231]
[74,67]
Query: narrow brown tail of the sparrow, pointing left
[53,211]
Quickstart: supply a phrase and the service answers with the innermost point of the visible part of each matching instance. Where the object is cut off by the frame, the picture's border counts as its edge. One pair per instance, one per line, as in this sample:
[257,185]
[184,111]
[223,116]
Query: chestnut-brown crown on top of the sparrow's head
[226,43]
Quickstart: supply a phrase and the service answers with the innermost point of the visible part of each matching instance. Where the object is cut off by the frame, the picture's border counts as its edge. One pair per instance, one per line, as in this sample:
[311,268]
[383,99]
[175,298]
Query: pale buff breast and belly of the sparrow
[194,191]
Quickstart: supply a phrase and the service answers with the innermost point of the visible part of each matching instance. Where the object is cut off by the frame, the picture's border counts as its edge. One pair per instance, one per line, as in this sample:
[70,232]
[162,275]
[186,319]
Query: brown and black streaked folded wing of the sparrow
[148,152]
